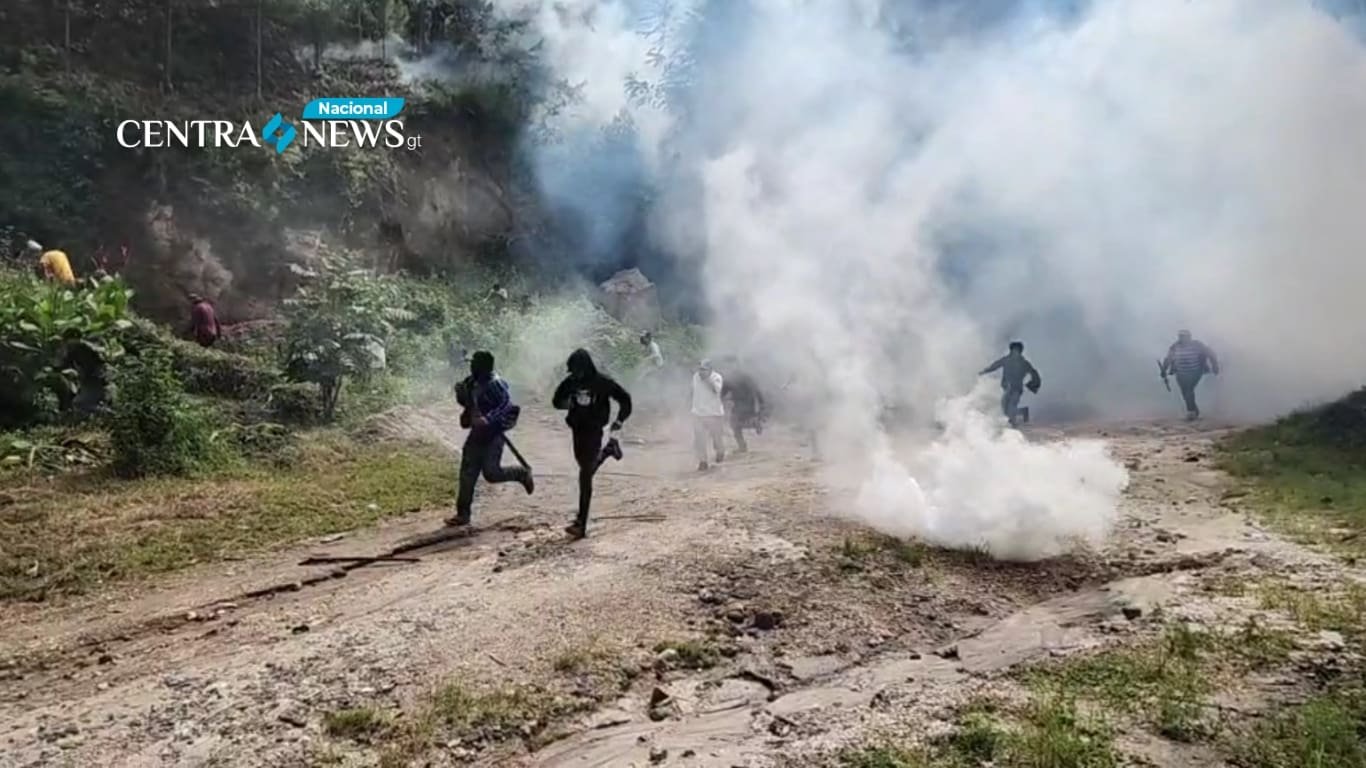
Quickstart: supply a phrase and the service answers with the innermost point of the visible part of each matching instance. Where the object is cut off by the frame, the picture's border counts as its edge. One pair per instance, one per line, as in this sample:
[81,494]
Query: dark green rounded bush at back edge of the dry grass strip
[154,428]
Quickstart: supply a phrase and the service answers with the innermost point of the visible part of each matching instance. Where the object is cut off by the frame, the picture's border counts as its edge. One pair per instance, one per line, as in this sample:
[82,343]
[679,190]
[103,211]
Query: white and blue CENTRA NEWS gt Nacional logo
[326,124]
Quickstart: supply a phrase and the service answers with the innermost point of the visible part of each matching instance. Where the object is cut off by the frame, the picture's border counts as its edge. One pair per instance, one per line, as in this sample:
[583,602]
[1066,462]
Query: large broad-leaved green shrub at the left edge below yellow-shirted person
[38,320]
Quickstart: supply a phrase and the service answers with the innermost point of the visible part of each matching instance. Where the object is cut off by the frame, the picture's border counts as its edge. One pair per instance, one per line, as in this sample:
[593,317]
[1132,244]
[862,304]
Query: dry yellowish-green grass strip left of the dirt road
[76,534]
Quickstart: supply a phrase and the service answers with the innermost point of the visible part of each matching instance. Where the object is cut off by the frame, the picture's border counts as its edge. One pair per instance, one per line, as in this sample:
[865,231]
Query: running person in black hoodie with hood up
[588,394]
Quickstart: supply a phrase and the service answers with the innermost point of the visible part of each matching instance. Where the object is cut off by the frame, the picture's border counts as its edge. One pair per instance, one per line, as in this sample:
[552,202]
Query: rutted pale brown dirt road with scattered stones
[828,637]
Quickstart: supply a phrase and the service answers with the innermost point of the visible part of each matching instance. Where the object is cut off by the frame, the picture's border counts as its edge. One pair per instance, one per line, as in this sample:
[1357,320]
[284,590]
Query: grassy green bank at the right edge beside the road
[1307,474]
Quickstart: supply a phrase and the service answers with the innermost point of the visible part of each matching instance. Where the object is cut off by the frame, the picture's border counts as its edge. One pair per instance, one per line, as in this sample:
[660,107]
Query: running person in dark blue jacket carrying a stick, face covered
[488,415]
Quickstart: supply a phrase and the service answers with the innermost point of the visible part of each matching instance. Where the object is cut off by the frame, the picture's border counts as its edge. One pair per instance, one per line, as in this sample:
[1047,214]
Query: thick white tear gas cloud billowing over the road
[879,196]
